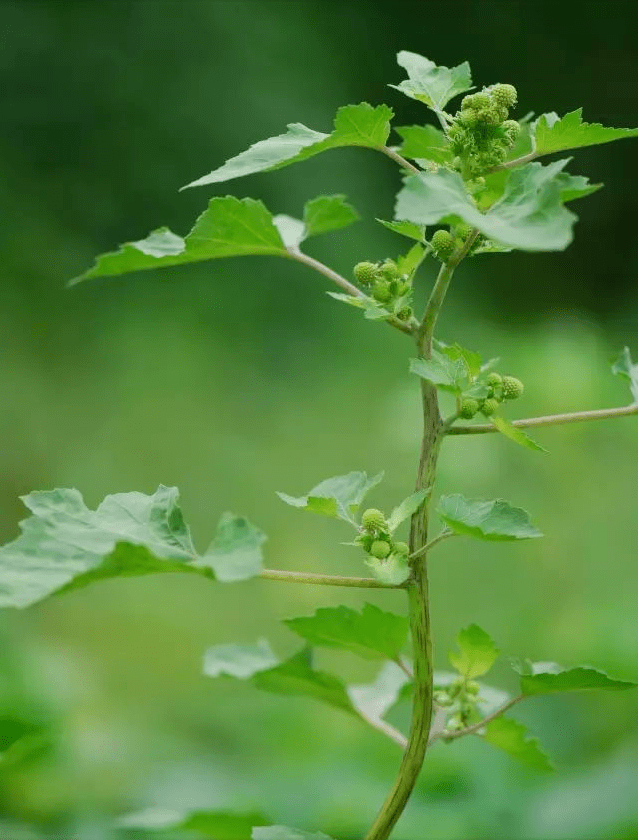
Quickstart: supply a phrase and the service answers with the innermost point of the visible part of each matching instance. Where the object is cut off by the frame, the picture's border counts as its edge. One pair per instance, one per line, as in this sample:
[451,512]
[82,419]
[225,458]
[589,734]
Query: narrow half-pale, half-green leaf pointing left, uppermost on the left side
[354,125]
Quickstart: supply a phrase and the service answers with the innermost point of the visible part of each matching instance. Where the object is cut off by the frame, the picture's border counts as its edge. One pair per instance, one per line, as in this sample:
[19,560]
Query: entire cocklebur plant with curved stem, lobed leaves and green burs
[472,185]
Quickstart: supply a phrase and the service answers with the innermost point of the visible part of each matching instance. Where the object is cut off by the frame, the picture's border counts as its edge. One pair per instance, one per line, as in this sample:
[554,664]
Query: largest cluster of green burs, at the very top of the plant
[481,133]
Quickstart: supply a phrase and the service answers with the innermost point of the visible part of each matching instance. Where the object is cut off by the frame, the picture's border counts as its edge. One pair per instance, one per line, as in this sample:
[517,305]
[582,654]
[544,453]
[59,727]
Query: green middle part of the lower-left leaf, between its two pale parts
[296,676]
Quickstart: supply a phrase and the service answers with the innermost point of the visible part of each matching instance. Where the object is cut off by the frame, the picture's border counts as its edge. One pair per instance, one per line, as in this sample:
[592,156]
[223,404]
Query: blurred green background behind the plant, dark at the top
[236,378]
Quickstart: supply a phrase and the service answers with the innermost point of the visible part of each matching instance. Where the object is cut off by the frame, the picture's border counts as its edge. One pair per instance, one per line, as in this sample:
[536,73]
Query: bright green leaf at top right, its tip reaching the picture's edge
[552,133]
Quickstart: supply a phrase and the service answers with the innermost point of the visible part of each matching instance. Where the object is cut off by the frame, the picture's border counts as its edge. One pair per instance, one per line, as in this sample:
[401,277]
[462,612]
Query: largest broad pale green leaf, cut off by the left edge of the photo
[65,545]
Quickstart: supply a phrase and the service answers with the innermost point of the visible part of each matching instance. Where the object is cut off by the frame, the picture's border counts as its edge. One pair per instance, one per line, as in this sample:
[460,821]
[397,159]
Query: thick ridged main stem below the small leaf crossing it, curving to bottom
[418,598]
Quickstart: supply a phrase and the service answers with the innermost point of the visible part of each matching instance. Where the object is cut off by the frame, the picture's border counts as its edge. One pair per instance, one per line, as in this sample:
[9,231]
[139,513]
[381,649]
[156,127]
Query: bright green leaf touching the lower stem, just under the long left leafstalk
[371,634]
